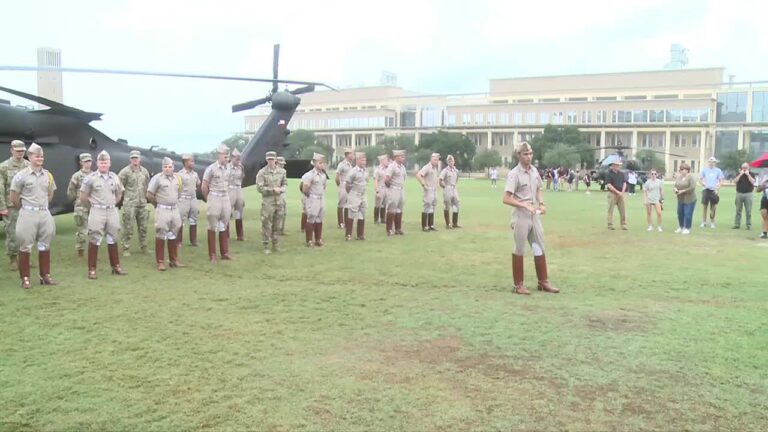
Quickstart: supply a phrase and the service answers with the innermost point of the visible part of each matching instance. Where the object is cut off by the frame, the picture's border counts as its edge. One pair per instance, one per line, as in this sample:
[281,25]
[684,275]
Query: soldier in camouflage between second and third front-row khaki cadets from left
[135,179]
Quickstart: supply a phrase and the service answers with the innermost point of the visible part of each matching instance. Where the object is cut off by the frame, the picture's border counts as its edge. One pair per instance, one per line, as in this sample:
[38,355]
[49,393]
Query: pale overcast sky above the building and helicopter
[433,46]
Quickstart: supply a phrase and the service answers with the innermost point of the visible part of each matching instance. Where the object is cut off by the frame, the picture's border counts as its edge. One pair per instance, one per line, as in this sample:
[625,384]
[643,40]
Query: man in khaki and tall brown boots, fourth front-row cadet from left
[215,189]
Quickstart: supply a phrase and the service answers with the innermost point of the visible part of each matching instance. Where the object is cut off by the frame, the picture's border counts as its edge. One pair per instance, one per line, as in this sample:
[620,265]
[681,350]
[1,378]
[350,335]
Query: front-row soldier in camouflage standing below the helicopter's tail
[271,183]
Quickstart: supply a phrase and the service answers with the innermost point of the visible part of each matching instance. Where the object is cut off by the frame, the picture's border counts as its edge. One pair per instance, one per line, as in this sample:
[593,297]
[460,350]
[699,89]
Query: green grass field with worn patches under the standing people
[652,331]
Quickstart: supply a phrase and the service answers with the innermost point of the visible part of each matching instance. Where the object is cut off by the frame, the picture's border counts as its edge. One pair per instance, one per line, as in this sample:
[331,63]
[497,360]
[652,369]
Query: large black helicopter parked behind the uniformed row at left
[64,132]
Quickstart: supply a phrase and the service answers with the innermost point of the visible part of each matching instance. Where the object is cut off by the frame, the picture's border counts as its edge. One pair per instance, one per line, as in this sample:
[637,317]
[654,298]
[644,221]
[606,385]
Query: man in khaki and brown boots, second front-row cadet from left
[100,193]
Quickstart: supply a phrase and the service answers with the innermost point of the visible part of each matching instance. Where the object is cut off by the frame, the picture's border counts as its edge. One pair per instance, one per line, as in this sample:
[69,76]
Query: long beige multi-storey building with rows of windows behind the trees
[688,112]
